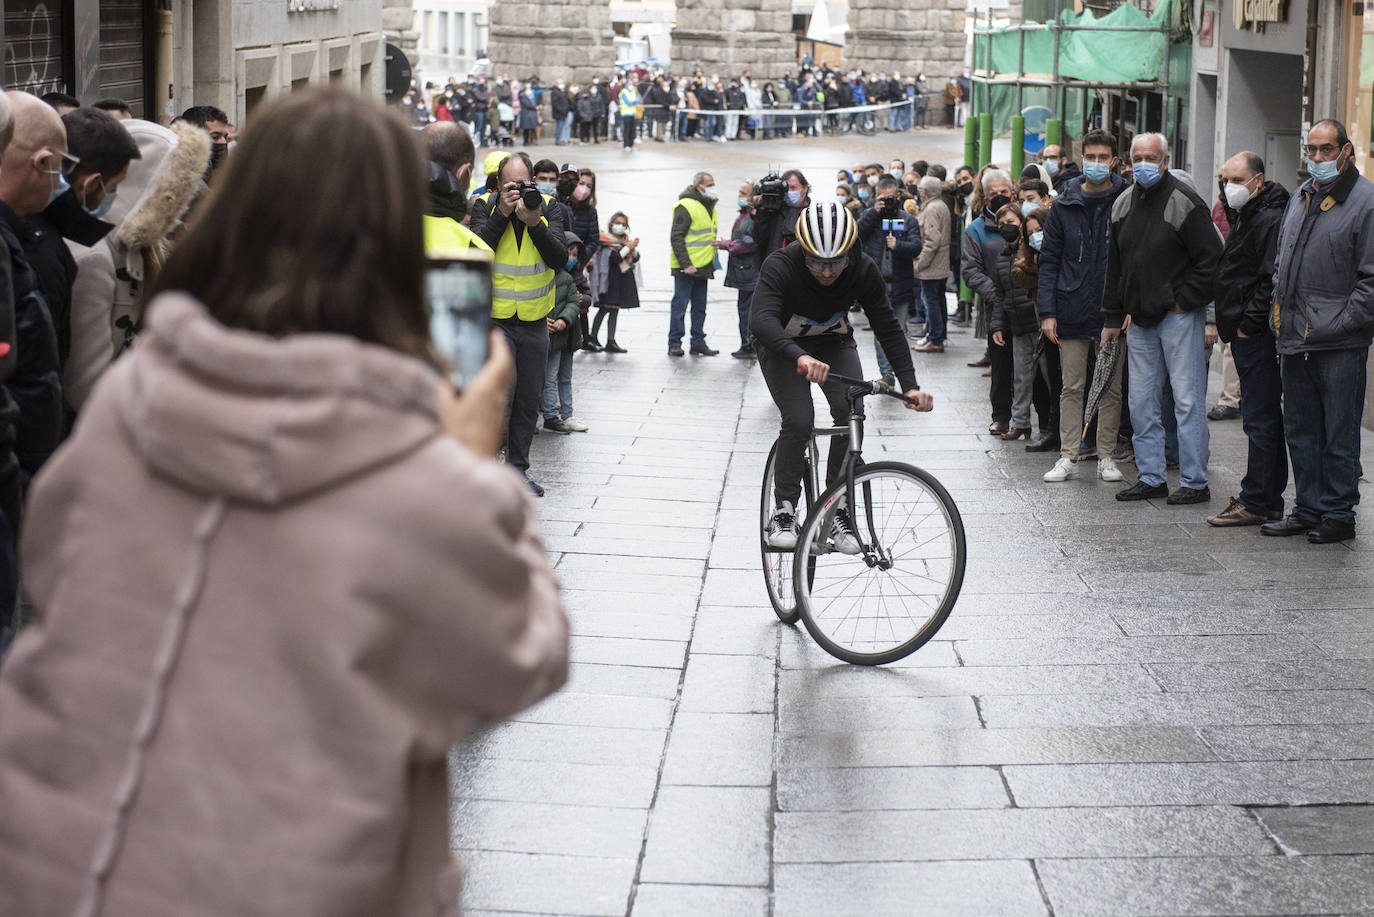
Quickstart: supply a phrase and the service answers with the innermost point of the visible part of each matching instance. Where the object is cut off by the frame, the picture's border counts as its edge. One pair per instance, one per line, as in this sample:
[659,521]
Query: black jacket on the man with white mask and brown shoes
[1244,291]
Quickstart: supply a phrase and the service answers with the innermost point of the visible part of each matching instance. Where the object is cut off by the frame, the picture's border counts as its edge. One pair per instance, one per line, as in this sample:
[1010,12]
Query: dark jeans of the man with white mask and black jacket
[1262,416]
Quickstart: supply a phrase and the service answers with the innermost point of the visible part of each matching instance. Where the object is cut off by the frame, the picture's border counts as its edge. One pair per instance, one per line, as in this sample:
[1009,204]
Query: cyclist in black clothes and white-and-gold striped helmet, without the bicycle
[800,321]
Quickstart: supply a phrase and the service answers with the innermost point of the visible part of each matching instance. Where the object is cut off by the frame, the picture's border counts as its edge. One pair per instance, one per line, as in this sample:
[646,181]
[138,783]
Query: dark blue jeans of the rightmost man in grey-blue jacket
[1325,393]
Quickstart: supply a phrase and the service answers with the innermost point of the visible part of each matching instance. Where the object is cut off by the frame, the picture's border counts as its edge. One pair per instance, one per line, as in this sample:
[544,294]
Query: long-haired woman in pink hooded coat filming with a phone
[278,571]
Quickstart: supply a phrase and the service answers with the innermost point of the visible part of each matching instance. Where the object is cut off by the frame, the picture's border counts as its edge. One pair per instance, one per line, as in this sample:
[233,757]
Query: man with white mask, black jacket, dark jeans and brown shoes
[1244,296]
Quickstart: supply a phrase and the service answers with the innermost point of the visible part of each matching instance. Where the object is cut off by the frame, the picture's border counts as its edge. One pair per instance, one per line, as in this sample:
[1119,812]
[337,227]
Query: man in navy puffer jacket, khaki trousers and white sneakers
[1074,269]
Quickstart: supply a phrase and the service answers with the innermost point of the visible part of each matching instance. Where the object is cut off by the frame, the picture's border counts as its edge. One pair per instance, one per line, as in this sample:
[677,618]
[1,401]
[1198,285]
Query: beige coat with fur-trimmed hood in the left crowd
[111,276]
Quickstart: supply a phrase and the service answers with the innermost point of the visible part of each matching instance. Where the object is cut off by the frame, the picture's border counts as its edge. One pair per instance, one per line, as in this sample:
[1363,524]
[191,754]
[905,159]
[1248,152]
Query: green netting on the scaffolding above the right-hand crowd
[1100,57]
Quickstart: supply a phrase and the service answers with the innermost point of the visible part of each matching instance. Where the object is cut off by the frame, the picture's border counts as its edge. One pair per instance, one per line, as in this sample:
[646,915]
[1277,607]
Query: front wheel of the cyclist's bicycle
[887,601]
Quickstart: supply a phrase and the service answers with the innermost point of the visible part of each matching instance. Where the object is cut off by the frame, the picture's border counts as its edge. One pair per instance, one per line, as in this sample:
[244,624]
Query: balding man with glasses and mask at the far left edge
[32,177]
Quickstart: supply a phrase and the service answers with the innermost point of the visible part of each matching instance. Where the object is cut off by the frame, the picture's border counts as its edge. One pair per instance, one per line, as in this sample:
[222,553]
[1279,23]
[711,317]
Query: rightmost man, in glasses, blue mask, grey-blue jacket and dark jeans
[1324,320]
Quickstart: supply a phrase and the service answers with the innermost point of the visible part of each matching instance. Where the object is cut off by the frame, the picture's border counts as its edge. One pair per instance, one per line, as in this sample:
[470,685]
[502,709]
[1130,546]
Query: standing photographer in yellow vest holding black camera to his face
[530,250]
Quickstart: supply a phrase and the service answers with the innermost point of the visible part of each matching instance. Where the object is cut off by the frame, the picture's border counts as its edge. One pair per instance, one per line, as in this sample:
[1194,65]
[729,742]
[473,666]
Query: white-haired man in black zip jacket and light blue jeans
[1162,266]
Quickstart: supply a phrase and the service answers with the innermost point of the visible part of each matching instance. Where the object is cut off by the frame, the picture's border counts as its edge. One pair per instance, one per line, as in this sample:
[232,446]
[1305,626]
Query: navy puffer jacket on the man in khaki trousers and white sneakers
[1074,262]
